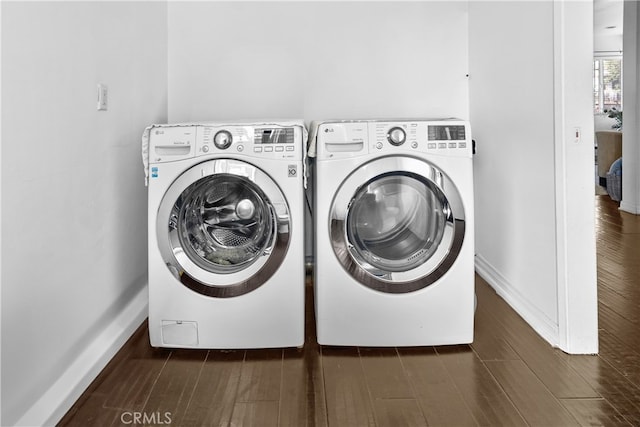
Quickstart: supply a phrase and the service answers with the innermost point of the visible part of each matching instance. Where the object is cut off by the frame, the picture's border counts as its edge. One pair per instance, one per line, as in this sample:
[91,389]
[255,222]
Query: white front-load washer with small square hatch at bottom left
[226,235]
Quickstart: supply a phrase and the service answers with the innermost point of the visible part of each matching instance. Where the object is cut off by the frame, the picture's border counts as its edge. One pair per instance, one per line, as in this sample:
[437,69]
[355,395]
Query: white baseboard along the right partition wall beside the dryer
[534,317]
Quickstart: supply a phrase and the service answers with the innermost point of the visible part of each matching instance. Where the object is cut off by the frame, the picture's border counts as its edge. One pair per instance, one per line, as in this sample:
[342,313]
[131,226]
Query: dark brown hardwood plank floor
[508,376]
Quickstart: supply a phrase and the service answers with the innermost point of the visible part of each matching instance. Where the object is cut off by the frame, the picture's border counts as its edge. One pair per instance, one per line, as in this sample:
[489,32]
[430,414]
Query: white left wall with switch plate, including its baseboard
[73,195]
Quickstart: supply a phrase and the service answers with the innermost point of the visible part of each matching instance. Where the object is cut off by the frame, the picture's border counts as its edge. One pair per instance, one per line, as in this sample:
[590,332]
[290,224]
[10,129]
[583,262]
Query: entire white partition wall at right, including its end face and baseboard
[529,89]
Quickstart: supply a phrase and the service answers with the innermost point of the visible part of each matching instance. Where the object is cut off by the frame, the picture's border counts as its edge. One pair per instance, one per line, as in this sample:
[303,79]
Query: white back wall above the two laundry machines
[317,60]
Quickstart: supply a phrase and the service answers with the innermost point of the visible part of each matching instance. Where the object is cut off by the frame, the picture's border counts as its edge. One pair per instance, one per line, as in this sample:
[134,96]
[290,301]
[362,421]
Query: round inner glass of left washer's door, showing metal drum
[223,222]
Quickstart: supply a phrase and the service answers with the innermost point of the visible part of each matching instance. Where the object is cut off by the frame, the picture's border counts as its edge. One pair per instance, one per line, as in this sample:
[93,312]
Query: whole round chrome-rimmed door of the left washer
[223,228]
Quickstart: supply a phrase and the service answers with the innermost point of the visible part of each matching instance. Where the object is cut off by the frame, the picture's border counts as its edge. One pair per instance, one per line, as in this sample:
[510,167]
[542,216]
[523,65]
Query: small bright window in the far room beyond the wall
[607,84]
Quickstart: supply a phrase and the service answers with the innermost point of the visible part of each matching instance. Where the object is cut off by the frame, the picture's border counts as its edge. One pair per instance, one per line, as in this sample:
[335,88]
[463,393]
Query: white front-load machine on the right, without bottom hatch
[394,233]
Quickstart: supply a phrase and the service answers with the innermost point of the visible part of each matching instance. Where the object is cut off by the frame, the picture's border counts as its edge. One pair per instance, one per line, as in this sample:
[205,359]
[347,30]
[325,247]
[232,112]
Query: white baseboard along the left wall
[61,396]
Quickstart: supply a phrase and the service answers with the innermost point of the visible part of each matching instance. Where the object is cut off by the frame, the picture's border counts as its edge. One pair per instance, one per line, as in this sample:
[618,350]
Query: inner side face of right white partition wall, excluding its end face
[511,90]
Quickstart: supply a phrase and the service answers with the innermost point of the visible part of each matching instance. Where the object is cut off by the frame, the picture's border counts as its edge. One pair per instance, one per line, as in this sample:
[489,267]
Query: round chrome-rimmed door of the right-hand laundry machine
[397,224]
